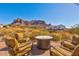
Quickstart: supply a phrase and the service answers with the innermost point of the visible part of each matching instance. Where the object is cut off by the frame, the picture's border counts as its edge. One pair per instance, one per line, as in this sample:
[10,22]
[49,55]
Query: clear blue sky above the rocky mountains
[66,14]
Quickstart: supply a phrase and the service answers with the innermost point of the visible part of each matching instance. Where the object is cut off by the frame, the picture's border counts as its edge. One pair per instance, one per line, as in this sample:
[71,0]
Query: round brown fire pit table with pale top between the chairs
[43,42]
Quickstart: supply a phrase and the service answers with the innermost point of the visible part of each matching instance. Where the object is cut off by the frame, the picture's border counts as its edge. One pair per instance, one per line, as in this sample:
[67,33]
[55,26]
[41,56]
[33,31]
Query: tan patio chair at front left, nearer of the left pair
[18,49]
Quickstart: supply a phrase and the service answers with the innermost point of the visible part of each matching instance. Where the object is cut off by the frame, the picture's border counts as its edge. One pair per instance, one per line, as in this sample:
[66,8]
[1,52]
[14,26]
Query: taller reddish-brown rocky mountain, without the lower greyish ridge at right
[19,21]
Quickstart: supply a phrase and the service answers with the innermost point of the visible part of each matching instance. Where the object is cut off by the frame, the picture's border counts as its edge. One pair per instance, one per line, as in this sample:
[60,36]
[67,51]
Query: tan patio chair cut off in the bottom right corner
[57,51]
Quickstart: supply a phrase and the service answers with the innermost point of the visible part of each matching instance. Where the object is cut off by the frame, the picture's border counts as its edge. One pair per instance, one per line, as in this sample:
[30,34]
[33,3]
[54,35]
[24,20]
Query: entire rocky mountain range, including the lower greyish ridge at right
[37,23]
